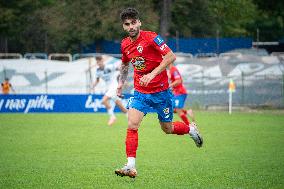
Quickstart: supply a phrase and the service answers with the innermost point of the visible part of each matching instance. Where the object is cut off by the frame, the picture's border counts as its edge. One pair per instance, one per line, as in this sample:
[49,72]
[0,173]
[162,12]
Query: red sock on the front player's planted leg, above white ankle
[131,143]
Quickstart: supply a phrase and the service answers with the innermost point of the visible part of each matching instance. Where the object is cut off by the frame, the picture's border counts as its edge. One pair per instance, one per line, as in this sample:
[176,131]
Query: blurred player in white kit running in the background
[108,72]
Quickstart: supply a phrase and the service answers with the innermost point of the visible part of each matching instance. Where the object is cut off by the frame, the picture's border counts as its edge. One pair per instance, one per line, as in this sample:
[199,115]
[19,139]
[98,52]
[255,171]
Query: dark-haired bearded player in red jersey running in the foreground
[149,55]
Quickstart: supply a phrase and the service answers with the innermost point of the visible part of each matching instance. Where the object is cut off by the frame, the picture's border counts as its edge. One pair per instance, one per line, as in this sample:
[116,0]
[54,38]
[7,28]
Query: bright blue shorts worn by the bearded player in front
[161,102]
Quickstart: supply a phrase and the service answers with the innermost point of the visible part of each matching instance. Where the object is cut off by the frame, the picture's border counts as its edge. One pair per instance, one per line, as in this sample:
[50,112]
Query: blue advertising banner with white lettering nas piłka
[42,103]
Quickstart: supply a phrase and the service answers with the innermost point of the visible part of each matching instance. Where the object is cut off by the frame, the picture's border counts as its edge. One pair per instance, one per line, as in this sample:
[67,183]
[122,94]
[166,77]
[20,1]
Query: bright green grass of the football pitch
[244,150]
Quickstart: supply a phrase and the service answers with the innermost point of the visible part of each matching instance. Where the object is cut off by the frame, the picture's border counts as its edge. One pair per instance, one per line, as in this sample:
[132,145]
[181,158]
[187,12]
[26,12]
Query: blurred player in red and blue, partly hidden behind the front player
[180,94]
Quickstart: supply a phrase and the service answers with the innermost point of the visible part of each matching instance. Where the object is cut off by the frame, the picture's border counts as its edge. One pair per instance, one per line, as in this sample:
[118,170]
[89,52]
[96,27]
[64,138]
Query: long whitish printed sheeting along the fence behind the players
[257,83]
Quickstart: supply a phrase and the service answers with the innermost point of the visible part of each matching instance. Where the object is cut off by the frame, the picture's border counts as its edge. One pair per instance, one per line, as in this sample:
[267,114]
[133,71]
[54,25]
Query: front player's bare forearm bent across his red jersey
[168,59]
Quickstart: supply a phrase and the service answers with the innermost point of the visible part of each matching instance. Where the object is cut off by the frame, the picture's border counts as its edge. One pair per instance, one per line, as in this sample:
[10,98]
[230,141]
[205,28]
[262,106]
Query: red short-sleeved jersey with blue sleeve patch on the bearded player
[145,54]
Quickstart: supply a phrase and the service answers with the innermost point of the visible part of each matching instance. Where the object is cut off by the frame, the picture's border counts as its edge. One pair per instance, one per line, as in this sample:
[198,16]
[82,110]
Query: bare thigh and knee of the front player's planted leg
[134,118]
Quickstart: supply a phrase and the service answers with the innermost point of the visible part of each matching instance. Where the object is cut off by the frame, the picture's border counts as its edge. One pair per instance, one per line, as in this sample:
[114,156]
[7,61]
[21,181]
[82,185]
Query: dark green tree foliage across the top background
[67,25]
